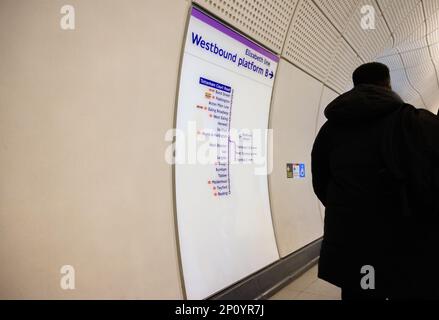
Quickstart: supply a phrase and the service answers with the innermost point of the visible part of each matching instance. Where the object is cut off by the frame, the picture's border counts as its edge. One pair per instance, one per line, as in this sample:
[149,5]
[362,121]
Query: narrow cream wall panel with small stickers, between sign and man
[295,209]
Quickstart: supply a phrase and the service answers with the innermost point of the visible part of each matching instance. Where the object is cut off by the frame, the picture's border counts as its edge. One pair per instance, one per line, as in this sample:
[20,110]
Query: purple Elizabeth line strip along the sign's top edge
[233,34]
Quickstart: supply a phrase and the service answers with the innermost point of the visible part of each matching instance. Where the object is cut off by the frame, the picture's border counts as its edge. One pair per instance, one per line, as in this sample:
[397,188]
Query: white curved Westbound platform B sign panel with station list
[222,200]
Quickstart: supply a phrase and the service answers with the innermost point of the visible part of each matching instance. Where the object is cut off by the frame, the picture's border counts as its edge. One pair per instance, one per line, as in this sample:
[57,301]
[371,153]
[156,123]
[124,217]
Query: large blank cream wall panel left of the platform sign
[83,115]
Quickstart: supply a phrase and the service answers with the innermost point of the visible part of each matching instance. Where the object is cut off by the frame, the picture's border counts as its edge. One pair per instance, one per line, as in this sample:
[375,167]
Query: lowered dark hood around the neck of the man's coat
[363,103]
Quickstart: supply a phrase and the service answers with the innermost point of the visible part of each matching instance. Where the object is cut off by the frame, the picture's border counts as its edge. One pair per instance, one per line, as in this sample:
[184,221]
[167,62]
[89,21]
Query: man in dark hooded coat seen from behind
[374,166]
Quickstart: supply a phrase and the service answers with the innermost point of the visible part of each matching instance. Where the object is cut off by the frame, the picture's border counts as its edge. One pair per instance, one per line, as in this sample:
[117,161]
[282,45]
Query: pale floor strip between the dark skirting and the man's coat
[308,287]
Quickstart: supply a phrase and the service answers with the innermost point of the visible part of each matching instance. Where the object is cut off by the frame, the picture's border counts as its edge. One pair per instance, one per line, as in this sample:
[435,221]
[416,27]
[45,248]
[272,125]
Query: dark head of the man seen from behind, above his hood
[372,73]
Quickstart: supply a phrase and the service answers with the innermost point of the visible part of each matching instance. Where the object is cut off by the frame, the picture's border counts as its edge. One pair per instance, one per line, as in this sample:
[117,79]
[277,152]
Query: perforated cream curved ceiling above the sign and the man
[325,38]
